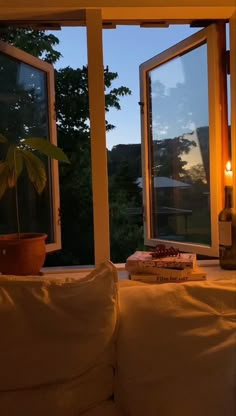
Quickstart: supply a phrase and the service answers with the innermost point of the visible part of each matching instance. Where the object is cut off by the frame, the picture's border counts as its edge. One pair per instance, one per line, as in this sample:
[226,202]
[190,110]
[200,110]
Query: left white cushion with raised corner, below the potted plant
[57,343]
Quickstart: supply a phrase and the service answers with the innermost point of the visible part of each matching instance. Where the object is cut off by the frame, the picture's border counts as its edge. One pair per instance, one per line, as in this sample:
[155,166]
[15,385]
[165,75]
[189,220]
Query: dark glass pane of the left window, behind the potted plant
[24,113]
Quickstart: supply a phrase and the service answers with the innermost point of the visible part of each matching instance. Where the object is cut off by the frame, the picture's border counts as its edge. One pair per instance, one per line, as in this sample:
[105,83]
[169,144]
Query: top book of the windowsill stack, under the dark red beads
[142,262]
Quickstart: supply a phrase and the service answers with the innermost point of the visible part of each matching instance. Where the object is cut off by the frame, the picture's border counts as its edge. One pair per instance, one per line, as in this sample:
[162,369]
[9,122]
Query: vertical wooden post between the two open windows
[98,136]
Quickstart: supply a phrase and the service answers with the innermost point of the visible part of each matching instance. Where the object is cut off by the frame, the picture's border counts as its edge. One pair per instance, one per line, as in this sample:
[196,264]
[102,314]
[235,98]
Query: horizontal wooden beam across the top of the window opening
[63,10]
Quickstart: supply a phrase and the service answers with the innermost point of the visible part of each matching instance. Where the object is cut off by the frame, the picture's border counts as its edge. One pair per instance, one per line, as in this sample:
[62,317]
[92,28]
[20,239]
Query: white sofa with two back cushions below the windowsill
[93,347]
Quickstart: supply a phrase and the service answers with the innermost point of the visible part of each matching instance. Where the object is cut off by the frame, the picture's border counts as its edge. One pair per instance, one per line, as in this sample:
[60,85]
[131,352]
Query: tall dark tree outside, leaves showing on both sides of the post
[74,138]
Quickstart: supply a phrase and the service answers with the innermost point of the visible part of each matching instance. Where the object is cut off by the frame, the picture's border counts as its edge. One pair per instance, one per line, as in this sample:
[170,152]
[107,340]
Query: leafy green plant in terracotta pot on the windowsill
[24,253]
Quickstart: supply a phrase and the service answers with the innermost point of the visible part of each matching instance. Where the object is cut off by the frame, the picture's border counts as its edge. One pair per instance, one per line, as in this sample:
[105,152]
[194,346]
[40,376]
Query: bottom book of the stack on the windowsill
[170,276]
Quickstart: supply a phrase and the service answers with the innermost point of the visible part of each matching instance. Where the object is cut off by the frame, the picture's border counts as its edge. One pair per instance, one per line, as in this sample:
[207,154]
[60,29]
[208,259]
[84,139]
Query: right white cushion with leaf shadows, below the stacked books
[176,349]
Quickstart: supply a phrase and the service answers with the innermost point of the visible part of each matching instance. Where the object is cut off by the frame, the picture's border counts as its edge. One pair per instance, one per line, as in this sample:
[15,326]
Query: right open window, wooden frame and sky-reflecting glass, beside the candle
[182,121]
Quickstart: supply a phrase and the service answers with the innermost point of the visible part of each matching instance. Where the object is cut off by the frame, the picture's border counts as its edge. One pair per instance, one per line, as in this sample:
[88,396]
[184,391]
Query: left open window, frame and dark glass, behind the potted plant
[27,102]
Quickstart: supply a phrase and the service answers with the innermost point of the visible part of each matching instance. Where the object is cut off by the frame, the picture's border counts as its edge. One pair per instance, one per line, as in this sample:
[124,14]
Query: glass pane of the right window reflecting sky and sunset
[179,144]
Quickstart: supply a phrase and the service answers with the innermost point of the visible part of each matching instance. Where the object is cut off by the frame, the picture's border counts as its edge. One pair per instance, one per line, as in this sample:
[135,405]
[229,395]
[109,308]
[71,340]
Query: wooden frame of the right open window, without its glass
[214,52]
